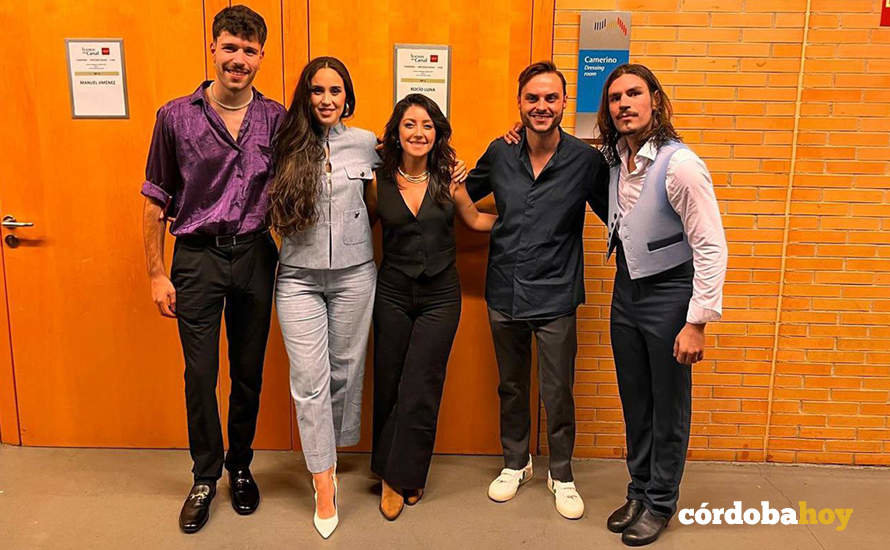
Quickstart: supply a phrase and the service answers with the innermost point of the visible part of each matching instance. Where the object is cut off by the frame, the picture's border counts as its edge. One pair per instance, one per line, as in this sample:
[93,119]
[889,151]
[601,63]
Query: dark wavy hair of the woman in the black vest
[441,157]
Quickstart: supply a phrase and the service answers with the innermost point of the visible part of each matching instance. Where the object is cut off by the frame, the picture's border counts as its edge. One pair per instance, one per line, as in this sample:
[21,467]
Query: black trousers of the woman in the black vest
[414,325]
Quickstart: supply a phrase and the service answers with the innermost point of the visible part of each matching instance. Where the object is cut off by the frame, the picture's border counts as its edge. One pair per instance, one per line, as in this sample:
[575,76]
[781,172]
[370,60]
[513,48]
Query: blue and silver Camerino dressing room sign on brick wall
[602,46]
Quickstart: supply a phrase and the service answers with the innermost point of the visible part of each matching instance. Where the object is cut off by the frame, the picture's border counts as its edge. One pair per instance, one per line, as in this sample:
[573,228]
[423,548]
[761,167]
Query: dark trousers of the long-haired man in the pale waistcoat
[656,390]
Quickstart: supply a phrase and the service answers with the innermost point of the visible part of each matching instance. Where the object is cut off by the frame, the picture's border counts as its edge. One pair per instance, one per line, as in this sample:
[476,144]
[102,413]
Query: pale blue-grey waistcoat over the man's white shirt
[651,233]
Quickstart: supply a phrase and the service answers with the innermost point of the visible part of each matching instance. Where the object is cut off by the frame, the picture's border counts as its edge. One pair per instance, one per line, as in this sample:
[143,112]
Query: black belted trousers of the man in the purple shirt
[238,281]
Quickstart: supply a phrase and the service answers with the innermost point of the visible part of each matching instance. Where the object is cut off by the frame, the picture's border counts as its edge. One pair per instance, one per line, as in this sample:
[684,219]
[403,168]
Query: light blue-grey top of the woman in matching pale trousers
[342,236]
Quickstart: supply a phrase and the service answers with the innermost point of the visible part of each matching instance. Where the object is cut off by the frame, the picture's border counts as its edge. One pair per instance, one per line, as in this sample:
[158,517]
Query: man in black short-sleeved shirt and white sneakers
[535,278]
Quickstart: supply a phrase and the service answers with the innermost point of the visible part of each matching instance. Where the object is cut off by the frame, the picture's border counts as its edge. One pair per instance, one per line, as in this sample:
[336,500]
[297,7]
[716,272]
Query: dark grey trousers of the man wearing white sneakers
[557,345]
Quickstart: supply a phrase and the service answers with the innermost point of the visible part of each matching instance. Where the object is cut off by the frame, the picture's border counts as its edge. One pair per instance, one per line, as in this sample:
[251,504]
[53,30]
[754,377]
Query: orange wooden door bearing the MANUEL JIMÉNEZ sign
[94,363]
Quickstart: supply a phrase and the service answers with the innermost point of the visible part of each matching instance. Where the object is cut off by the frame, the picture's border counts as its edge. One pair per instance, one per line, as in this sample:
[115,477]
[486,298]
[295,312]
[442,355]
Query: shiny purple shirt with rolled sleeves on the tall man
[209,183]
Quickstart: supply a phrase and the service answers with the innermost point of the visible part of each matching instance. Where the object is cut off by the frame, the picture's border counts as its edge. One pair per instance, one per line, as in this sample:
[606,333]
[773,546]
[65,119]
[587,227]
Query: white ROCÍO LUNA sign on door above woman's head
[423,69]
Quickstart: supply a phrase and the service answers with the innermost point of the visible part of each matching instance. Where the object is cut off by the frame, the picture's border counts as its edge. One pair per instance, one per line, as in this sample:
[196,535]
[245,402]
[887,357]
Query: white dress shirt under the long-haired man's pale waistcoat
[691,194]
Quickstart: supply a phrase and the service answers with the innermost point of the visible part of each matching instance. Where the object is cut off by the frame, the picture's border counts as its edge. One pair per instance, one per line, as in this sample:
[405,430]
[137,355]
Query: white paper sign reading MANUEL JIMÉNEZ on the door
[97,78]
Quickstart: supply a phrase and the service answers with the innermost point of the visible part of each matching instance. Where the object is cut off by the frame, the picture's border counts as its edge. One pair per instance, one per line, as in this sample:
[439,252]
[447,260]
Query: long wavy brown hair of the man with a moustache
[661,130]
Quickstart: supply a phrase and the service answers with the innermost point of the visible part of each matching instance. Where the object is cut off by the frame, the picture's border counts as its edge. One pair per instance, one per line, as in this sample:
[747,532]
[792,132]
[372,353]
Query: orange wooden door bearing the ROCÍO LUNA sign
[489,48]
